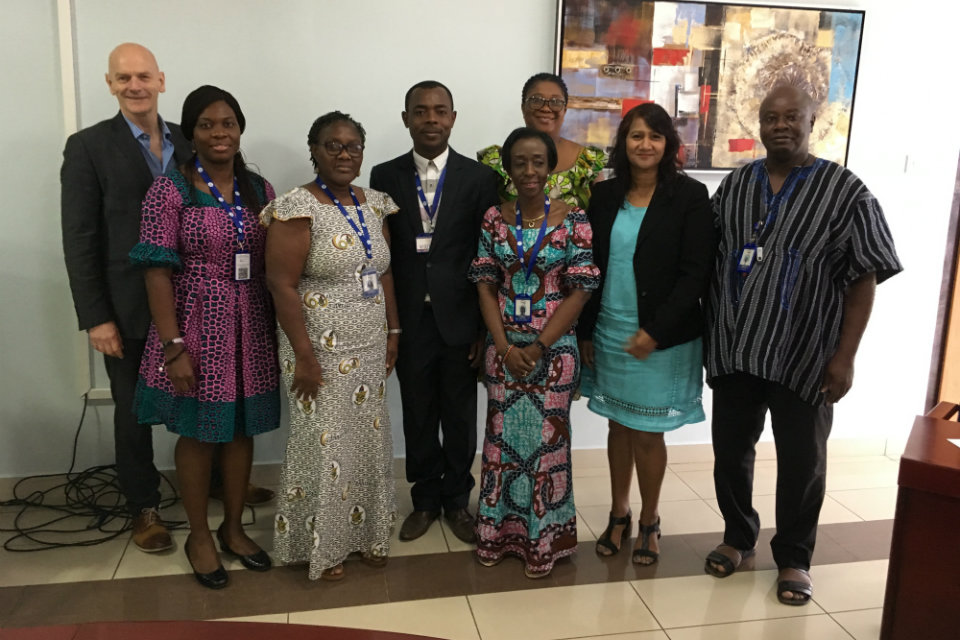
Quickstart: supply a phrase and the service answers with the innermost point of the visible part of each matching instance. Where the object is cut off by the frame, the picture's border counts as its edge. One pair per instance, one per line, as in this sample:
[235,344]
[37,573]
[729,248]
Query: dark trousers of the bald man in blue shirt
[133,442]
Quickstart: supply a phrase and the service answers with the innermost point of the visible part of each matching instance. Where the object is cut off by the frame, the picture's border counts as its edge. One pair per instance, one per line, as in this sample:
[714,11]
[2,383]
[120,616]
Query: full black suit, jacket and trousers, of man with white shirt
[437,385]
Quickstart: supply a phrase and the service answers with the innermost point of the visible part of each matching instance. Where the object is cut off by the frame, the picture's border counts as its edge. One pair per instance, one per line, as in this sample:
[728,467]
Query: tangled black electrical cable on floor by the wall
[93,495]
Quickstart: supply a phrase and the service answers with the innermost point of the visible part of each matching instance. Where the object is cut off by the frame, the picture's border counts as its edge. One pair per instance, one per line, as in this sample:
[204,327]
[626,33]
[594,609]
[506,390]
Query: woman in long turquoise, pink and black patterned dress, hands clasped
[531,294]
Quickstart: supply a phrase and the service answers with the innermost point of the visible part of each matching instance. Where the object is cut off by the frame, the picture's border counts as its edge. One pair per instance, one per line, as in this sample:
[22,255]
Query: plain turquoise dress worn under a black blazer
[658,394]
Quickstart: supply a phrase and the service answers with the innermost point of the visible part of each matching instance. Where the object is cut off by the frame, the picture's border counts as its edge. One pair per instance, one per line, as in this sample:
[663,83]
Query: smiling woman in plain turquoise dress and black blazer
[654,243]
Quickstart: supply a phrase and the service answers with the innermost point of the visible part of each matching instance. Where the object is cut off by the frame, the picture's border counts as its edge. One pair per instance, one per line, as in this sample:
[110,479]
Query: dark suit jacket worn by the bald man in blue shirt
[102,183]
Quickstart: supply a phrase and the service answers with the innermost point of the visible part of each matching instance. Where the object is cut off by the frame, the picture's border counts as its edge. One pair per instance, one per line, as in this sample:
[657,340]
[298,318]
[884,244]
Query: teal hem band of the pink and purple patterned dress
[207,421]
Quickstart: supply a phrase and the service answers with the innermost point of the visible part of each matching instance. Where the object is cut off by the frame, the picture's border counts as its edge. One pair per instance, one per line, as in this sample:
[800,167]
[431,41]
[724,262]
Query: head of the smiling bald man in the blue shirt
[136,80]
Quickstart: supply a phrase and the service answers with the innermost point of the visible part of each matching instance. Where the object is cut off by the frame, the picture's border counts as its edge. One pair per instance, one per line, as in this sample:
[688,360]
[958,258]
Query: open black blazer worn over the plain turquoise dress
[672,263]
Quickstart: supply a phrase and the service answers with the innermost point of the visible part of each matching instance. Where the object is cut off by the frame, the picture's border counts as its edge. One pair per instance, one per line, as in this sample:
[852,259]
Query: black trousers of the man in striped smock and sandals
[800,431]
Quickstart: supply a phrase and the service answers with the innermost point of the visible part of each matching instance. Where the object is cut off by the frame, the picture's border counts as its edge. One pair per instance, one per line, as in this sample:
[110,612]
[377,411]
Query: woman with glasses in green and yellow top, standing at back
[544,105]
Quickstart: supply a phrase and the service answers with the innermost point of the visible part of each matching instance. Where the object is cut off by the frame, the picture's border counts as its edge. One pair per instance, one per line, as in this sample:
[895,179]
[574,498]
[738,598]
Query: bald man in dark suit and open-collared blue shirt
[107,169]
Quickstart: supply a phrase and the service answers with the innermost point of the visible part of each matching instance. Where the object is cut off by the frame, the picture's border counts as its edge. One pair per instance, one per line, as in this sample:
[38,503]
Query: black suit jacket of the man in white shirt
[469,190]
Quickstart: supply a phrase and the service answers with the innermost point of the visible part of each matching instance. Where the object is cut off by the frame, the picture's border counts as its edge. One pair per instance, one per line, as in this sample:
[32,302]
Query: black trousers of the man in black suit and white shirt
[438,388]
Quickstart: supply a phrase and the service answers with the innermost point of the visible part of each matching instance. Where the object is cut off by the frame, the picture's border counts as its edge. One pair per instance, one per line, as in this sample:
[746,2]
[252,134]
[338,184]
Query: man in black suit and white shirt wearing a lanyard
[442,197]
